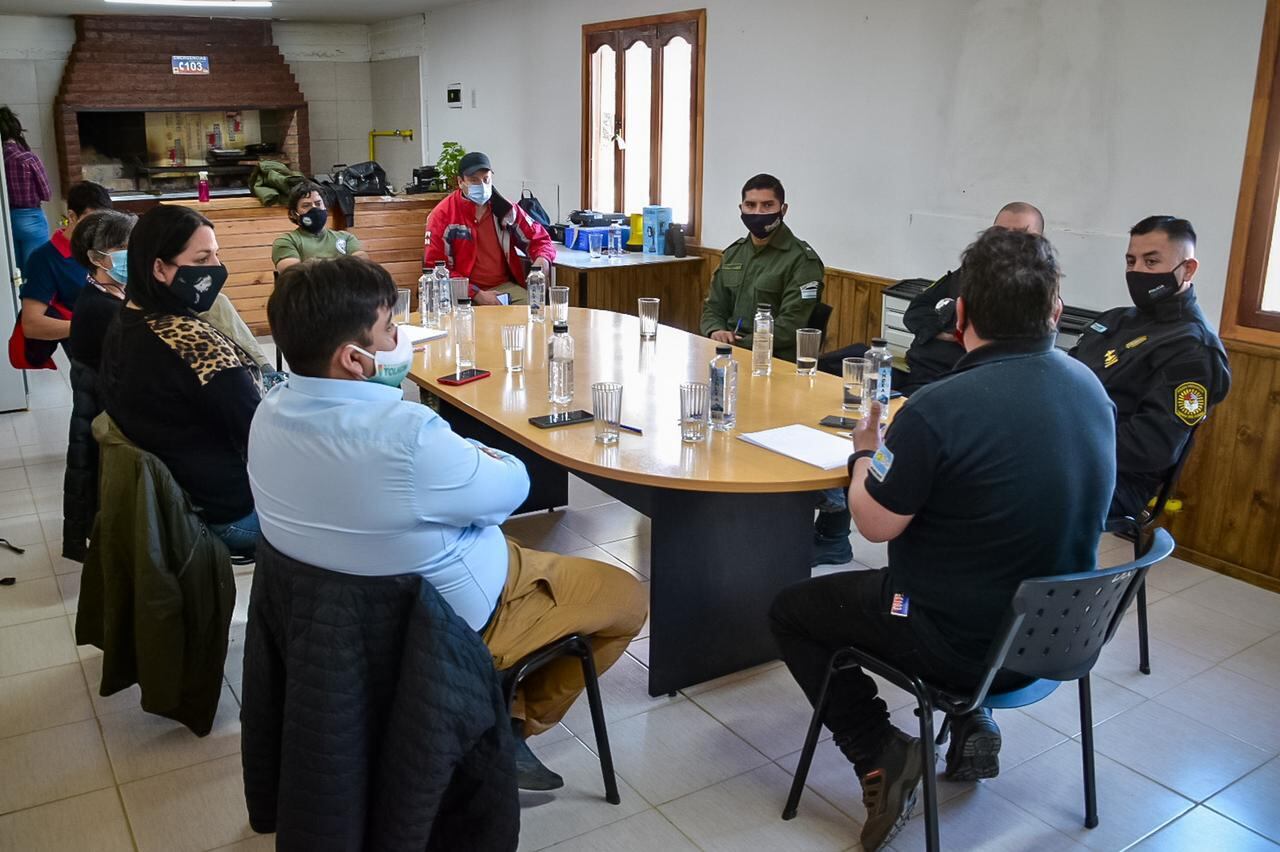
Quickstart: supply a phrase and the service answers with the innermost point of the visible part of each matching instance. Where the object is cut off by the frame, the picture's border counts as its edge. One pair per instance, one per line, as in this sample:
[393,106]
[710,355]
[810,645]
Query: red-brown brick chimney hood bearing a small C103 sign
[125,63]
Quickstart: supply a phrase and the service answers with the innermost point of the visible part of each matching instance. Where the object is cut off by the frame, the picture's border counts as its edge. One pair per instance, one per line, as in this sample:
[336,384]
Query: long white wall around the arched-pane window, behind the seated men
[902,126]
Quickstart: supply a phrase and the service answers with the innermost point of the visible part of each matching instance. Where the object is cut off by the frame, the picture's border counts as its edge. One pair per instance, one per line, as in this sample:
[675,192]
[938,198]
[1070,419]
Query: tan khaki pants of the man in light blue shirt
[550,597]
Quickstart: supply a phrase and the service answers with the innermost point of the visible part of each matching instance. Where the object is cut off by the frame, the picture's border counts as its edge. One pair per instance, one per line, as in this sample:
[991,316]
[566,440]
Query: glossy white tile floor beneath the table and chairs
[1188,758]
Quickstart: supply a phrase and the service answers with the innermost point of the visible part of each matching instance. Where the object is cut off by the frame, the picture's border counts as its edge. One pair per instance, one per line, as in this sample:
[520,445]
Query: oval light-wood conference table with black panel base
[732,523]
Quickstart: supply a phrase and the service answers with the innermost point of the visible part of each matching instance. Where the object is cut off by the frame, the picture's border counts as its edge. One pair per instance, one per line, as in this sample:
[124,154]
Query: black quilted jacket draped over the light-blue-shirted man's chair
[372,717]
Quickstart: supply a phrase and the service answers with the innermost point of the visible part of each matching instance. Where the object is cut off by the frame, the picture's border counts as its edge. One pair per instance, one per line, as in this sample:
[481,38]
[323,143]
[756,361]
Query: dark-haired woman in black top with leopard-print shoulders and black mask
[175,384]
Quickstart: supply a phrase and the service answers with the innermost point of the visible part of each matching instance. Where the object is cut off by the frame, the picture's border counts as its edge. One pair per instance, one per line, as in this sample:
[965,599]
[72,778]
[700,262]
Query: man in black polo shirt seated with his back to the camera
[998,473]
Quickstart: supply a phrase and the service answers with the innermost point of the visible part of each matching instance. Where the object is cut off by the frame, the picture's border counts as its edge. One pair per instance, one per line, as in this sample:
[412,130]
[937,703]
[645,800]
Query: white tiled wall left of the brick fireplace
[33,54]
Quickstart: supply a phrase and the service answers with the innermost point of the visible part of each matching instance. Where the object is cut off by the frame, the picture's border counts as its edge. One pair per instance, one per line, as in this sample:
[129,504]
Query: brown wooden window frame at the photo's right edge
[1244,318]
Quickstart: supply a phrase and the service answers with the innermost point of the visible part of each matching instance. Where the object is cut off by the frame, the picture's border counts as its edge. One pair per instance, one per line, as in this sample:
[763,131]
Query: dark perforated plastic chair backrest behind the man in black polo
[1059,625]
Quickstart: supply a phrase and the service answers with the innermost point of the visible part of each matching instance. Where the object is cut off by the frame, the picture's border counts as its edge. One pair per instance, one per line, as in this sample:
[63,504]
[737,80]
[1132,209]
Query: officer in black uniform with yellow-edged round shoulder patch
[1159,361]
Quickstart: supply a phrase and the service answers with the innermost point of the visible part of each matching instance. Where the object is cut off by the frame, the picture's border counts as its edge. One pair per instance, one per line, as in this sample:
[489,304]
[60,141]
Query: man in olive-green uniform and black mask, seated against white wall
[770,265]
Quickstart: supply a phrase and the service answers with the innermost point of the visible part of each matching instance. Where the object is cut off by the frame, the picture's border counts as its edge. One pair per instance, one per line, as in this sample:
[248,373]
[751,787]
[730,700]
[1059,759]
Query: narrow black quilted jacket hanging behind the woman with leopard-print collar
[80,482]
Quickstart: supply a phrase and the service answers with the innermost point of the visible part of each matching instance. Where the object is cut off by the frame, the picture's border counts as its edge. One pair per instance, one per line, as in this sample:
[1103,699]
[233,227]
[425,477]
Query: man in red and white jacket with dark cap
[483,237]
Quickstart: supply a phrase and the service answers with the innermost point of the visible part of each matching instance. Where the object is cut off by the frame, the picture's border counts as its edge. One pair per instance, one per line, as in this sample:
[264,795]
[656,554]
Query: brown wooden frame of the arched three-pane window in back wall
[657,31]
